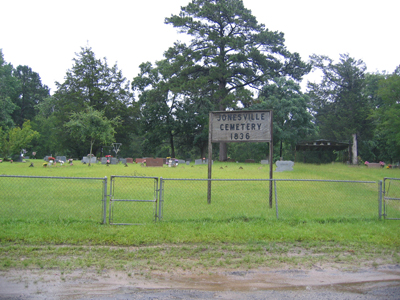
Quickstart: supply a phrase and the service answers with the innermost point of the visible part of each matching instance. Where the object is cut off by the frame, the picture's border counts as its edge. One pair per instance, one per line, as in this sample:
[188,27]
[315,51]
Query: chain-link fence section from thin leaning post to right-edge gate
[327,199]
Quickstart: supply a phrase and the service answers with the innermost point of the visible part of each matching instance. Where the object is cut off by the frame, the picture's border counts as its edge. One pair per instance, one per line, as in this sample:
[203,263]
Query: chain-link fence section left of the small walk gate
[36,198]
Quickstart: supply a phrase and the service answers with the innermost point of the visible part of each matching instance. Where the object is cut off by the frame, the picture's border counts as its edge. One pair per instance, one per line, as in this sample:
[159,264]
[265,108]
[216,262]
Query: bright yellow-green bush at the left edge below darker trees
[13,140]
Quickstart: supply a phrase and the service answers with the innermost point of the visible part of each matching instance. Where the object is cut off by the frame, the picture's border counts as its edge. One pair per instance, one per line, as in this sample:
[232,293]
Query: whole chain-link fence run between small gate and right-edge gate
[186,199]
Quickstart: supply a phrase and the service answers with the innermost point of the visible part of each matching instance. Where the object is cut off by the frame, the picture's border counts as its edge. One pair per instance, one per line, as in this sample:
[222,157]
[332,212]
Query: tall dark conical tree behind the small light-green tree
[92,82]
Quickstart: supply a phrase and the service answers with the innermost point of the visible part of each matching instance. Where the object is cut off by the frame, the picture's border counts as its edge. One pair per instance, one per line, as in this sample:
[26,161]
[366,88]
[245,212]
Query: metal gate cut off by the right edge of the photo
[391,198]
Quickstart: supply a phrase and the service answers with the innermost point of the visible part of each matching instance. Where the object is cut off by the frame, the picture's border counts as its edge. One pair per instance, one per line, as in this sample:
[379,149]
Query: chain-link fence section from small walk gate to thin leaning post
[186,199]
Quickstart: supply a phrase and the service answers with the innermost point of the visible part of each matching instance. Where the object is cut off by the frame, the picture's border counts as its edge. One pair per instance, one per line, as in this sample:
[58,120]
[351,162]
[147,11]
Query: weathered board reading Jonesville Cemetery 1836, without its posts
[241,126]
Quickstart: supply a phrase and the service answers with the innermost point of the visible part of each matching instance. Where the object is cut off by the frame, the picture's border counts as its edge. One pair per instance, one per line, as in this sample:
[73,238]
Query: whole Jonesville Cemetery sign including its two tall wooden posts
[240,126]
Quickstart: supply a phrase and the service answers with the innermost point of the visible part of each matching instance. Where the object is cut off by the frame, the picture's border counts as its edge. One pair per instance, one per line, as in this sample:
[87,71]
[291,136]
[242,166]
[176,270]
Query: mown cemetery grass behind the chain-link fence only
[52,199]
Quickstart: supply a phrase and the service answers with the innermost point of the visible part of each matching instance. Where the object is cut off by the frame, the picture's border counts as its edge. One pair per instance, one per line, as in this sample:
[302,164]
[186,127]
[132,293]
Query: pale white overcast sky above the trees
[46,34]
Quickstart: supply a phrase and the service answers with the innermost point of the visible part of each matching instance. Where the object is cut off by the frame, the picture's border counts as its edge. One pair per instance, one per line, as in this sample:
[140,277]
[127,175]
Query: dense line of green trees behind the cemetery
[232,63]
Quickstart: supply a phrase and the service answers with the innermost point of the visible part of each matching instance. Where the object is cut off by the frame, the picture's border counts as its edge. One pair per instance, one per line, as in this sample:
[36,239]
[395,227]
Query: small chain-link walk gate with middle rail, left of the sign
[133,200]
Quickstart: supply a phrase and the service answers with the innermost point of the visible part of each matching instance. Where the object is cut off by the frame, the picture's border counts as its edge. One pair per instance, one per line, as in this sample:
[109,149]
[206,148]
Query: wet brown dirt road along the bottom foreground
[318,282]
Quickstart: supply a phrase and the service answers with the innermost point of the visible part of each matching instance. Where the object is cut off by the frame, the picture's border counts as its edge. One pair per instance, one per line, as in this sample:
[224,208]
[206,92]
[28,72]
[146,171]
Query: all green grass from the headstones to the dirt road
[326,217]
